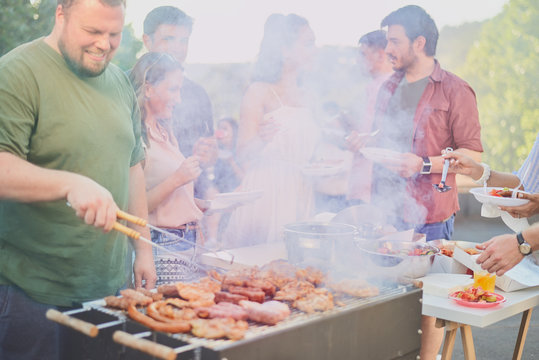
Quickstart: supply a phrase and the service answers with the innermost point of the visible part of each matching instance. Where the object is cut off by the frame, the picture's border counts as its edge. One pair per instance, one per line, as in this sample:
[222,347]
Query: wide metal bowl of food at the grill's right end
[412,259]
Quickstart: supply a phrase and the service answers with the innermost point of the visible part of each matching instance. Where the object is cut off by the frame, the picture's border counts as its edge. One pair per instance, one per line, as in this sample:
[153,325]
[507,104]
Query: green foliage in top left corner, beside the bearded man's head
[22,21]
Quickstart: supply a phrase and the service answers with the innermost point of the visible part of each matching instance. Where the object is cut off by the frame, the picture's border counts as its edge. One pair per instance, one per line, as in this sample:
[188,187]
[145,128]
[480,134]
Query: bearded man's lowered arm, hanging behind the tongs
[144,267]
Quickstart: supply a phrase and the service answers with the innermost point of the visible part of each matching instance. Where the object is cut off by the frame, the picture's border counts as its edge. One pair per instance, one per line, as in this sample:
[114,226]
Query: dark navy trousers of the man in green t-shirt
[25,332]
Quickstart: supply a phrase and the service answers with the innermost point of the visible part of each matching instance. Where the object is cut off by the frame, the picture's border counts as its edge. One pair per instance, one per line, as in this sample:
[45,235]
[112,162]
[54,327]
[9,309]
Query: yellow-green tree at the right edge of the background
[503,68]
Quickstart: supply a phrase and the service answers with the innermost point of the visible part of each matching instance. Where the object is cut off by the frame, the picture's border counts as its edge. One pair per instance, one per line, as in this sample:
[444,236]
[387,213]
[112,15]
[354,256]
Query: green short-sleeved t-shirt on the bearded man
[54,119]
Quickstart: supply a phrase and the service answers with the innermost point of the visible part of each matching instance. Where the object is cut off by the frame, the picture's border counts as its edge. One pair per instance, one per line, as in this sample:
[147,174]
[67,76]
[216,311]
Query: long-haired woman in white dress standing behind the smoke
[277,135]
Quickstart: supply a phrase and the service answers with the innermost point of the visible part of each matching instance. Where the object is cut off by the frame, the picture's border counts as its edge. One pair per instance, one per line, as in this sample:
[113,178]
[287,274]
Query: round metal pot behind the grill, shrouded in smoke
[320,244]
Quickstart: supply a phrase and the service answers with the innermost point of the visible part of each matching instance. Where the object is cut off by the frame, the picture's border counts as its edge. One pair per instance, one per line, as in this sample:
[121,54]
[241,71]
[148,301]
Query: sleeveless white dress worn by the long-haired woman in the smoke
[287,194]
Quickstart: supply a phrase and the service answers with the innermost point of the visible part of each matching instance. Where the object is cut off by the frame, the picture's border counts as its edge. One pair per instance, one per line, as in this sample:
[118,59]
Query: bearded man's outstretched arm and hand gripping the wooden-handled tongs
[24,182]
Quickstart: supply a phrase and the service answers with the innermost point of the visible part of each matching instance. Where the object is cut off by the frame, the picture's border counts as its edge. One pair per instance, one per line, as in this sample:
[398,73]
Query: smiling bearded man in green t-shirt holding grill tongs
[69,132]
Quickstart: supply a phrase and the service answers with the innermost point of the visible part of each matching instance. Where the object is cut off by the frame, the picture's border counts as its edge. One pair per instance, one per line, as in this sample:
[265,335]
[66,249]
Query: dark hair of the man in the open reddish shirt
[416,22]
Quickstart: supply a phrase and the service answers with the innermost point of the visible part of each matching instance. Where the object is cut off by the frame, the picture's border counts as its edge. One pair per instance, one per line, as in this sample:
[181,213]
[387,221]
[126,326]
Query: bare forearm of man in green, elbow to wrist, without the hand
[24,182]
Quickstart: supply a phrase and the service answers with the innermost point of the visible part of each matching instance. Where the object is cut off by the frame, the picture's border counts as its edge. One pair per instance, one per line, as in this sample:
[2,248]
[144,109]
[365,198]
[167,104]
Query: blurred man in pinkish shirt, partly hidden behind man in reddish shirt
[374,62]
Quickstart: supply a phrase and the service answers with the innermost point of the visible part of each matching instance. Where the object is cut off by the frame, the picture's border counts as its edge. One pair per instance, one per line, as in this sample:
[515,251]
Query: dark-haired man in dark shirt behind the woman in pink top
[168,29]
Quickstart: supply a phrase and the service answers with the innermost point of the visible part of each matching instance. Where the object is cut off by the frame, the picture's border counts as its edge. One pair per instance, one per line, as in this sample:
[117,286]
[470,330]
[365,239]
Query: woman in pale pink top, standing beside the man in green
[157,79]
